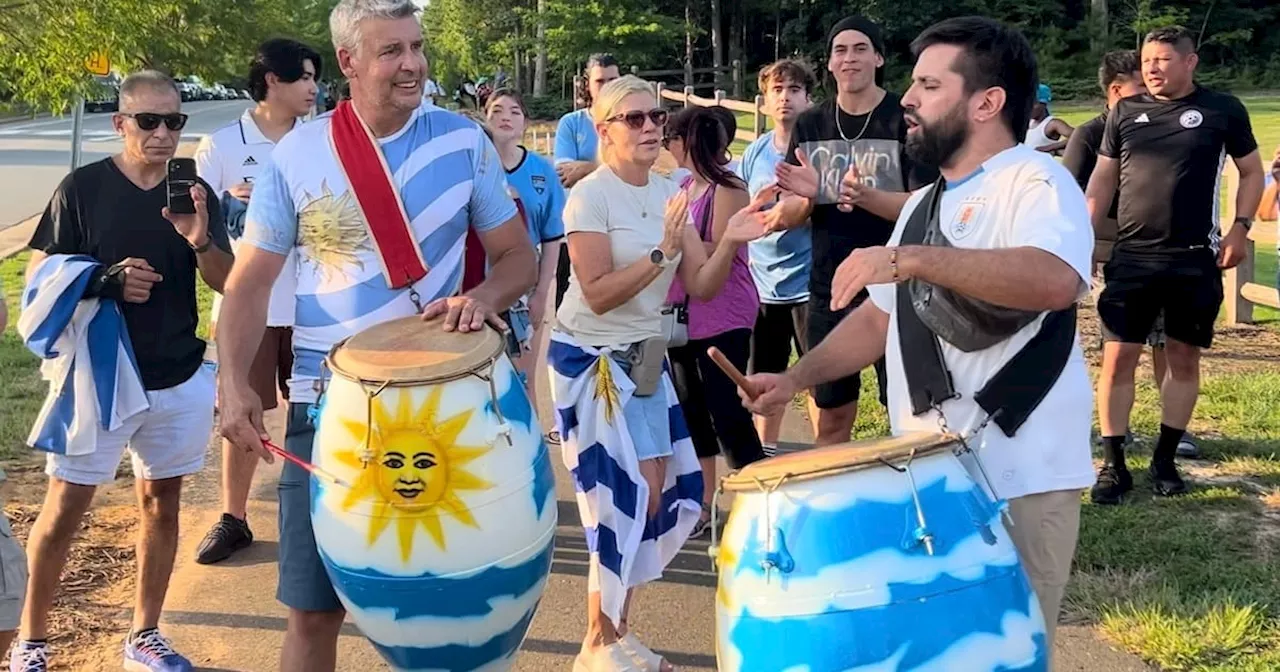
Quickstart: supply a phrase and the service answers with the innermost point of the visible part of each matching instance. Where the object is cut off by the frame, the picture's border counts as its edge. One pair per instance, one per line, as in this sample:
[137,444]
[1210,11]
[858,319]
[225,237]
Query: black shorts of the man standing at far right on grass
[1188,290]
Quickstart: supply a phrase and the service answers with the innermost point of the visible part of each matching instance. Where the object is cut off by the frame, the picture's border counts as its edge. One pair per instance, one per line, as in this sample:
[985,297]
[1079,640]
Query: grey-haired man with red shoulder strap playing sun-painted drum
[377,200]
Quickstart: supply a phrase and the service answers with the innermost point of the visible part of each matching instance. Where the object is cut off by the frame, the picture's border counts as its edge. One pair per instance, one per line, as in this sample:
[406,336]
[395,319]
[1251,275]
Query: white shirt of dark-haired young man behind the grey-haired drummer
[225,159]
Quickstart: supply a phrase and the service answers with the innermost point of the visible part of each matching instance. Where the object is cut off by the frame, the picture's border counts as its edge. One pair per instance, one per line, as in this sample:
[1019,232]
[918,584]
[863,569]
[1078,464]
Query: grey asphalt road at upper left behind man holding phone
[36,156]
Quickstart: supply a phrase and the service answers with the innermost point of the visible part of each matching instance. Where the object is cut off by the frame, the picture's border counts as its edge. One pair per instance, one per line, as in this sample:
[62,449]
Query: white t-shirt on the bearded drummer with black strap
[1018,199]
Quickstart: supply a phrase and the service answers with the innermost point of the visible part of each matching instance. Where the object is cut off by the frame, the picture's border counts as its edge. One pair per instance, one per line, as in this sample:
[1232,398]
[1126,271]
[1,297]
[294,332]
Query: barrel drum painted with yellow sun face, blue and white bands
[440,540]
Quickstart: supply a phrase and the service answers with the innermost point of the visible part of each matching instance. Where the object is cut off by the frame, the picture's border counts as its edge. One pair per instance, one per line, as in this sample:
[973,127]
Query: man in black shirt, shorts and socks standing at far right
[1165,149]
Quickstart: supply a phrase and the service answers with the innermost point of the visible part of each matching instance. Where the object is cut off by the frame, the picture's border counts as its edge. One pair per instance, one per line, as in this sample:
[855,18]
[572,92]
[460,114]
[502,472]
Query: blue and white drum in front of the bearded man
[834,560]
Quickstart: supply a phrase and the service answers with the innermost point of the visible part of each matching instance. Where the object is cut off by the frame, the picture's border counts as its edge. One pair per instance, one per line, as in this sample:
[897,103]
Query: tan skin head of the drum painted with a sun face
[410,350]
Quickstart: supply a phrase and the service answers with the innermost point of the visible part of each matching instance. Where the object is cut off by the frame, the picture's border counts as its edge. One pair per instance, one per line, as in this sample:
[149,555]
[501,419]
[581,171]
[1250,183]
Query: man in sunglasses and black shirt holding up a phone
[116,212]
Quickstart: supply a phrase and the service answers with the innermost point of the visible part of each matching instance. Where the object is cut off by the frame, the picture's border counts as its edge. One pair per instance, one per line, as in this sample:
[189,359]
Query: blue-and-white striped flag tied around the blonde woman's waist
[628,548]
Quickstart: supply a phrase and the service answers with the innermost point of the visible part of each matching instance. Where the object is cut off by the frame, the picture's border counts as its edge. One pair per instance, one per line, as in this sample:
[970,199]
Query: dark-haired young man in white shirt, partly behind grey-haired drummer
[284,83]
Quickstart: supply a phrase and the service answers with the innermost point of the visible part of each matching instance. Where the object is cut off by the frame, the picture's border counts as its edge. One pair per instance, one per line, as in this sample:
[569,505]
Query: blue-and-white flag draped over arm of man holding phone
[88,358]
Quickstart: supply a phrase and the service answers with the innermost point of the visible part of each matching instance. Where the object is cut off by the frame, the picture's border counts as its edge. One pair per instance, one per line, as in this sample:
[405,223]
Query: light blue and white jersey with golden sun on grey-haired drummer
[449,176]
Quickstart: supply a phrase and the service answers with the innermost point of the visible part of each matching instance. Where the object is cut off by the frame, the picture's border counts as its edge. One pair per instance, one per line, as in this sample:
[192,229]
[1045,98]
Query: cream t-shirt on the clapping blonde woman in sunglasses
[604,204]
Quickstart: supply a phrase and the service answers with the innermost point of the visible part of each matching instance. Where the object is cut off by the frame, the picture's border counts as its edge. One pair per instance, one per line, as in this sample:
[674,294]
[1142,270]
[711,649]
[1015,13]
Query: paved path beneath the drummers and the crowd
[226,618]
